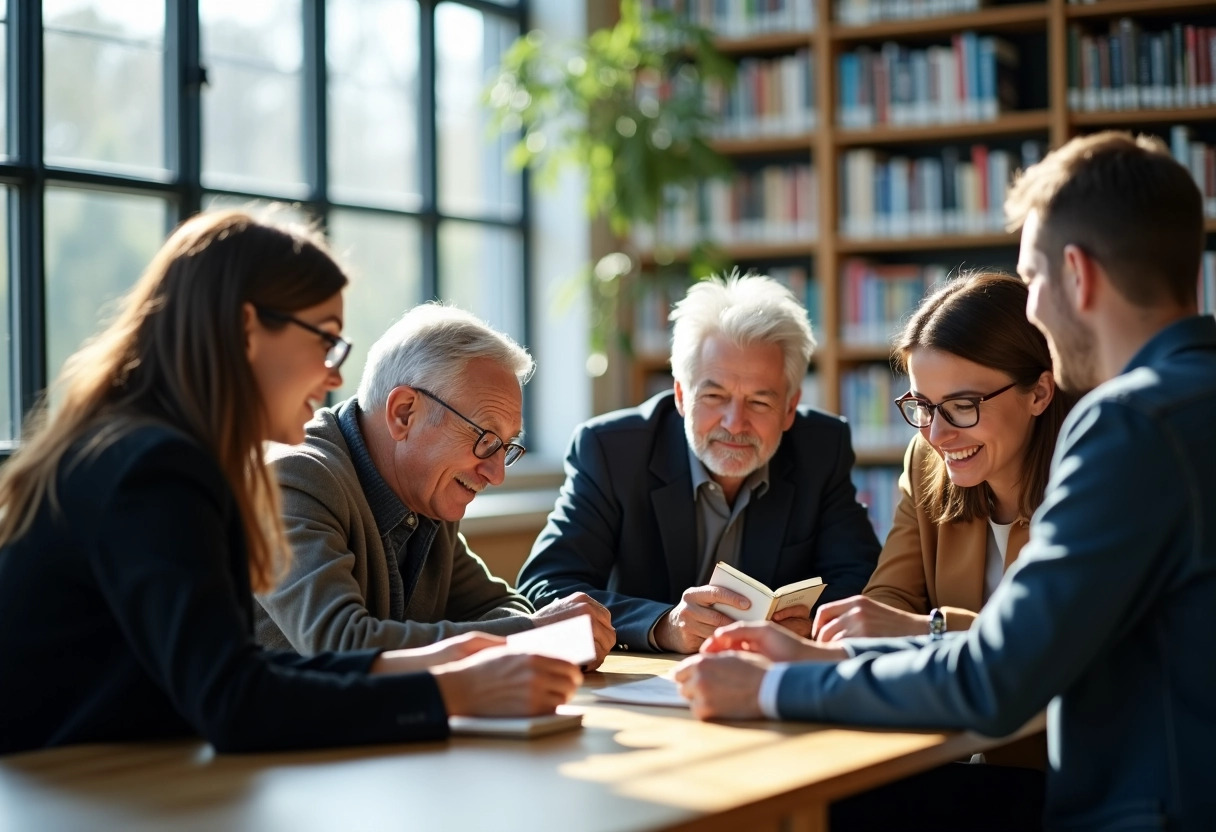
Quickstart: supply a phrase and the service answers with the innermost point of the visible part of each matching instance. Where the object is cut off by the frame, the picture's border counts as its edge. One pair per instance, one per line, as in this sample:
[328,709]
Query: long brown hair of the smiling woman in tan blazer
[982,318]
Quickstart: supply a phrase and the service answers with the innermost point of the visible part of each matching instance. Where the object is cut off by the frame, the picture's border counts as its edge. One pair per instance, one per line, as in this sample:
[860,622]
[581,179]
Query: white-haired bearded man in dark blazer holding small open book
[724,468]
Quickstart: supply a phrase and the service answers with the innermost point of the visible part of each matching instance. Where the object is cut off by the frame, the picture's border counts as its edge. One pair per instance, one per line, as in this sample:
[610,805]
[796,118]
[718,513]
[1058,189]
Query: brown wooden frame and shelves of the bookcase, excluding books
[1042,31]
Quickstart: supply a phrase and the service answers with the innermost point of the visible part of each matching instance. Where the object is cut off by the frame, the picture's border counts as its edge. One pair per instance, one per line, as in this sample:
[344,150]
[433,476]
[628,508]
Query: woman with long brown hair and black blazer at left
[138,516]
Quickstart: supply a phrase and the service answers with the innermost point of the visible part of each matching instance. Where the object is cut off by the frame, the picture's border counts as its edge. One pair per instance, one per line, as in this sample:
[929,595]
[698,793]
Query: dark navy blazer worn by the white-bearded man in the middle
[624,529]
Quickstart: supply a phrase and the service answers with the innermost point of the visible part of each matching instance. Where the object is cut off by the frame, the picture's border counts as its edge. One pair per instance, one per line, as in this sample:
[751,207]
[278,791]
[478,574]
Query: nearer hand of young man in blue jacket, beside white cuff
[723,687]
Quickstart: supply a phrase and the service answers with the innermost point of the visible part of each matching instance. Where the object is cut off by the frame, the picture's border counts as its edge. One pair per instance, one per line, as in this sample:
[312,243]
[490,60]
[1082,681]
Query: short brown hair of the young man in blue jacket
[1128,204]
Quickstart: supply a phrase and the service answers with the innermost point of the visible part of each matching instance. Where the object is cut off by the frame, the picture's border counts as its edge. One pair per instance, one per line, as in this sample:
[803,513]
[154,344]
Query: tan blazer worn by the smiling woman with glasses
[925,565]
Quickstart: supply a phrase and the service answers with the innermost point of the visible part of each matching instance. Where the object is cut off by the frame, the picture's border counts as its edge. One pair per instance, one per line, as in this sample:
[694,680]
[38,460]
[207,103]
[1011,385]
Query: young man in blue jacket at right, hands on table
[1107,619]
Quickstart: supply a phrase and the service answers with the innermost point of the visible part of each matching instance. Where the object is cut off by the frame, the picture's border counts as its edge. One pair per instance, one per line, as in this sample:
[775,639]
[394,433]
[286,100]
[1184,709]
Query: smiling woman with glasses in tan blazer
[988,411]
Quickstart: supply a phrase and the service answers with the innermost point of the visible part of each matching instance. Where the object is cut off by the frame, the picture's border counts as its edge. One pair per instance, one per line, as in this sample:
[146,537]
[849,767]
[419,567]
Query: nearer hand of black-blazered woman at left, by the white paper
[496,683]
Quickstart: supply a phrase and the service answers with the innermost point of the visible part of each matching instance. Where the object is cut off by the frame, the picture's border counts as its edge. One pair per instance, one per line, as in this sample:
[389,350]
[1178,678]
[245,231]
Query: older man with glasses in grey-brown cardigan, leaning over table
[374,498]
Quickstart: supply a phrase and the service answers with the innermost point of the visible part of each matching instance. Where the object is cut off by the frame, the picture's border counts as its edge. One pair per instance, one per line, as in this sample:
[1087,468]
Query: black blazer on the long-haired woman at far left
[128,616]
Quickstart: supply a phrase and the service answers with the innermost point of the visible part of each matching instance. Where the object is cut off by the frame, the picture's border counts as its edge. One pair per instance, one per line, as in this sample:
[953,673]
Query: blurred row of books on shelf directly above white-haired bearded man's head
[774,204]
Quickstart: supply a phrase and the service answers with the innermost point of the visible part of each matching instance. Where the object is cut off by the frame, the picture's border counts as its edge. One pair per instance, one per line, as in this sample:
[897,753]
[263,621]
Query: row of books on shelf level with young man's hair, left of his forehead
[939,193]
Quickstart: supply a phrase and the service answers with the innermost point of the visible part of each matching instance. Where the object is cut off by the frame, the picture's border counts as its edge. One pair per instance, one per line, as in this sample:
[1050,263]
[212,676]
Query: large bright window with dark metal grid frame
[120,120]
